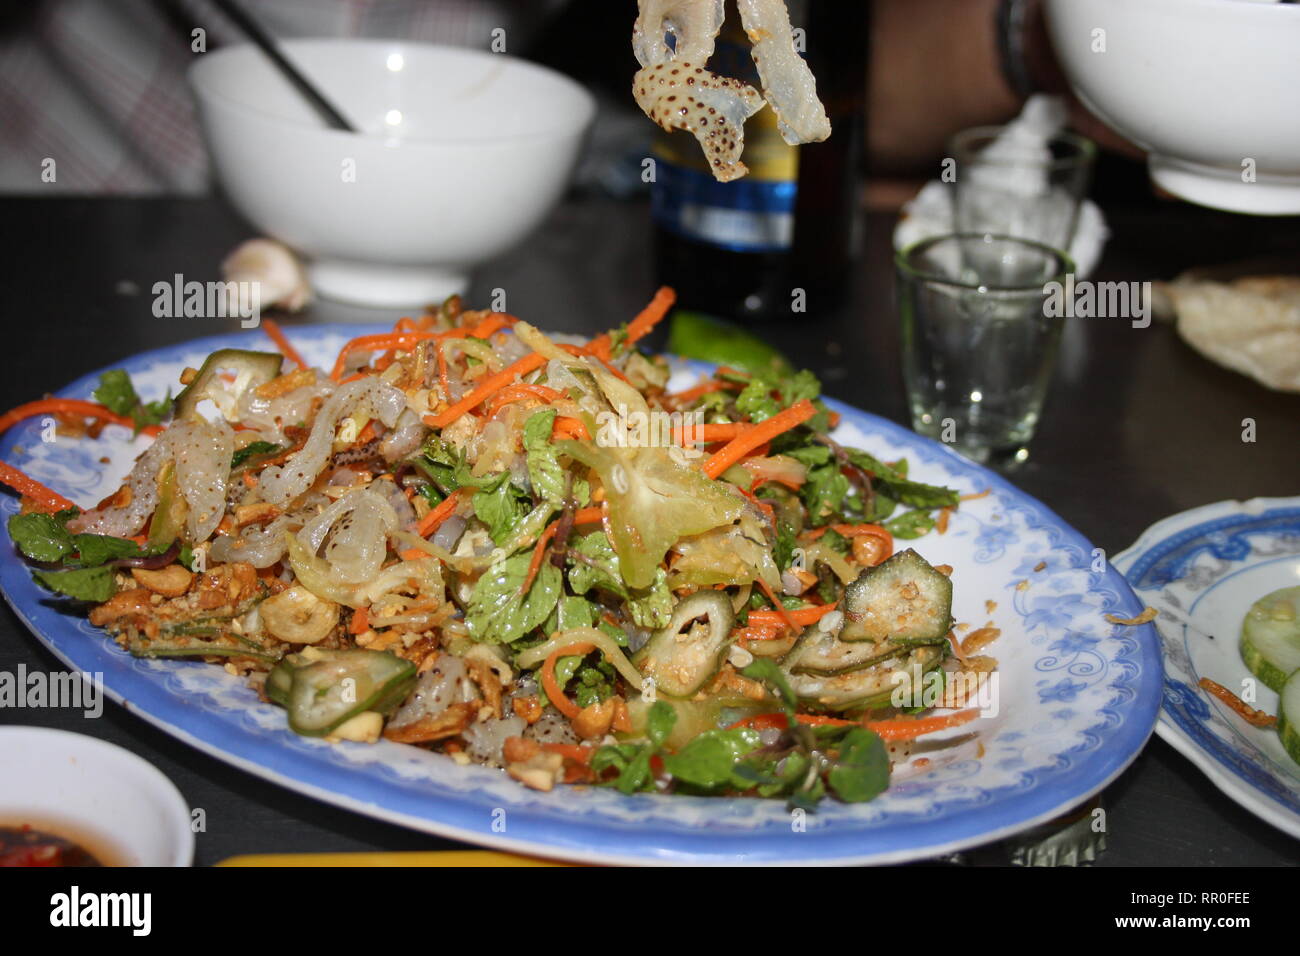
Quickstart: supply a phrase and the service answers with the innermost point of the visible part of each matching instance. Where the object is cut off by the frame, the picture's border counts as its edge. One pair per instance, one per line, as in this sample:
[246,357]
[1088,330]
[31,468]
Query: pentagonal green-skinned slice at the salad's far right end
[903,598]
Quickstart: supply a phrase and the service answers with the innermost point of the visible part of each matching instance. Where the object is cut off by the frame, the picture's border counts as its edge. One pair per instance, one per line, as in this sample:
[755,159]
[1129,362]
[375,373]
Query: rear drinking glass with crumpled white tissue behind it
[1033,192]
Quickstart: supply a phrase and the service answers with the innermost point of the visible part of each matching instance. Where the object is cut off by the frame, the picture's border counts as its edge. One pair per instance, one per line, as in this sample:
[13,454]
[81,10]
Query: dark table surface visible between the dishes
[1138,427]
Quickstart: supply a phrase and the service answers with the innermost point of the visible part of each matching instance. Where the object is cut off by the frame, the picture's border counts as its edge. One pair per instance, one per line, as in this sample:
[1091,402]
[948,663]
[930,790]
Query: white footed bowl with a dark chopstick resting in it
[462,154]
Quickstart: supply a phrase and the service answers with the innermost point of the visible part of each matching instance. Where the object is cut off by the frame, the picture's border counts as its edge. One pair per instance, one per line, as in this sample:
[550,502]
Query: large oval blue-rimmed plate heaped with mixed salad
[566,598]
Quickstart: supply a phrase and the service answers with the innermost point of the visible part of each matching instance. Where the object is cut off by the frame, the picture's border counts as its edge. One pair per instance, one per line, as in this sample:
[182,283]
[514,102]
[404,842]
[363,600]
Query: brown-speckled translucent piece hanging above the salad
[681,96]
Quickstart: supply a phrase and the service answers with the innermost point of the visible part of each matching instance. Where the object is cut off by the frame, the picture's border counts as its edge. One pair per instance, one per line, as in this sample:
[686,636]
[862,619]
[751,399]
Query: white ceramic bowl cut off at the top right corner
[1211,89]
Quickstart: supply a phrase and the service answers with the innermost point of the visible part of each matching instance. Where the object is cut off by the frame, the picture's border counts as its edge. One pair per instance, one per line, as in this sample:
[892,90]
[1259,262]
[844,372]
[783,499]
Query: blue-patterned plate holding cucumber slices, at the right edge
[1203,570]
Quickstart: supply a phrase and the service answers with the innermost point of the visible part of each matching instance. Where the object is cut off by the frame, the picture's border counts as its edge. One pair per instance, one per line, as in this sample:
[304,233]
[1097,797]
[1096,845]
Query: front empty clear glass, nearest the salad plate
[978,347]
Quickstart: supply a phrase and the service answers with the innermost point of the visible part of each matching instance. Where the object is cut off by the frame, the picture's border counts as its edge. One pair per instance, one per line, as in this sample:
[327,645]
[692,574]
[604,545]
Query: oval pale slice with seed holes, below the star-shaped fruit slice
[683,656]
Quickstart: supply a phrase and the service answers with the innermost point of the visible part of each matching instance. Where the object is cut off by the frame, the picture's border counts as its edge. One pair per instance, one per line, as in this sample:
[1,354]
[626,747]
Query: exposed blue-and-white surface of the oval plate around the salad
[1077,695]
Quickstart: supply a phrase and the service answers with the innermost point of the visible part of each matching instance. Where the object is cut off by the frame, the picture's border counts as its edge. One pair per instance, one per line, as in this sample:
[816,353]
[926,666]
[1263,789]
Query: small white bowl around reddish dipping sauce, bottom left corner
[84,789]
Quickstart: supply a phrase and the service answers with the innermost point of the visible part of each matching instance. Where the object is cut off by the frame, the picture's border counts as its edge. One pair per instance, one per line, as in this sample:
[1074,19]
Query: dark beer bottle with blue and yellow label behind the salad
[781,240]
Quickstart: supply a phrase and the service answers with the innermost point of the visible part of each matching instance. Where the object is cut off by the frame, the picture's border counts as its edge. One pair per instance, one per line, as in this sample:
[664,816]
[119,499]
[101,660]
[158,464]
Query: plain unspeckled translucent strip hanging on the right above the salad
[788,84]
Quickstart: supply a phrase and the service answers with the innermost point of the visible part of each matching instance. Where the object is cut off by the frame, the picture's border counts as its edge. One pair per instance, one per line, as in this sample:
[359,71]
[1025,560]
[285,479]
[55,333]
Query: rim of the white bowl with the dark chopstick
[205,89]
